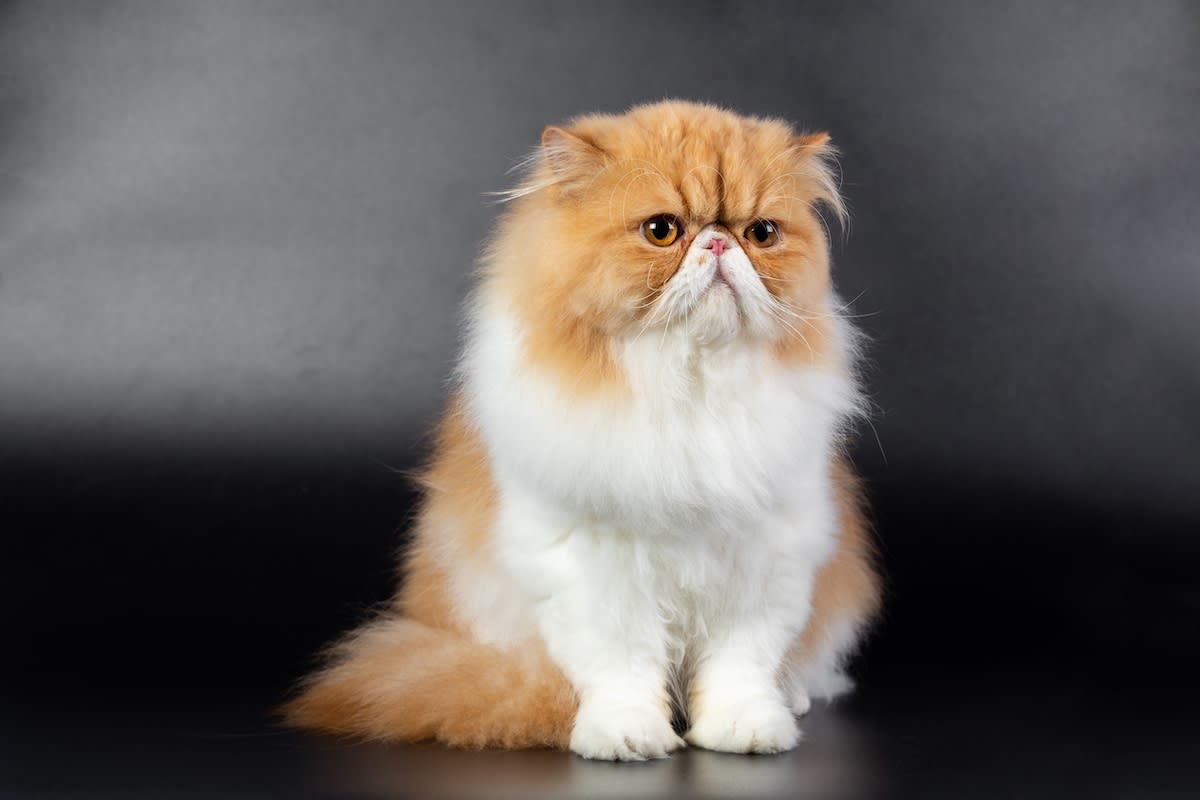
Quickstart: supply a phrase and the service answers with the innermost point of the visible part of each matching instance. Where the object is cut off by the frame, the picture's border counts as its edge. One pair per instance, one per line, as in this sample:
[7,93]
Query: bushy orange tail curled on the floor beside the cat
[401,681]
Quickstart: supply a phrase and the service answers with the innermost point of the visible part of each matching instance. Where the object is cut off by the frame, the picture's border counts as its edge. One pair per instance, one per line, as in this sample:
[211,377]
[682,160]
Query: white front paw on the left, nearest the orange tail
[623,735]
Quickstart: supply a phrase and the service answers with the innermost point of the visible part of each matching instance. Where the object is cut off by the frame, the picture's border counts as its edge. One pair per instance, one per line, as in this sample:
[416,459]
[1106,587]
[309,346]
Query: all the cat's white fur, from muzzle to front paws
[679,525]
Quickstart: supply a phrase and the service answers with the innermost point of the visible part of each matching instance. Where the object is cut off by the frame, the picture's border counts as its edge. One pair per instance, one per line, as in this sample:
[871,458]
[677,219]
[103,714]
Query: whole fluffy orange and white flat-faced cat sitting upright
[638,509]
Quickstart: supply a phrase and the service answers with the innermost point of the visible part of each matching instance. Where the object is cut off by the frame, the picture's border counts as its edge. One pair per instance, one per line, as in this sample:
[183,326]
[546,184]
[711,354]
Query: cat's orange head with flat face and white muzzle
[674,218]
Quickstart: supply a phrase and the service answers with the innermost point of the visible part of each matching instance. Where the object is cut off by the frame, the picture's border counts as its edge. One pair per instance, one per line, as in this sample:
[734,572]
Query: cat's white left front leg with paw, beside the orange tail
[599,617]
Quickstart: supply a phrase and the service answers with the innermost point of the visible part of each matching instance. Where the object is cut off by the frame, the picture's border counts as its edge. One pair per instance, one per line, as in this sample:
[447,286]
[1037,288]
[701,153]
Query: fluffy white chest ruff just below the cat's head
[699,438]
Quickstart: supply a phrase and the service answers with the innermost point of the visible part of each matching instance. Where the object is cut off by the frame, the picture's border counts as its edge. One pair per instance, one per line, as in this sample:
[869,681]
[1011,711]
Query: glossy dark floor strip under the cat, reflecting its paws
[921,738]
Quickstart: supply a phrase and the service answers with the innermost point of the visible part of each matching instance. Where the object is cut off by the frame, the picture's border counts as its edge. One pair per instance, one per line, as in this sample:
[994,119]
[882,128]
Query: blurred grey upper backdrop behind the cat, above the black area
[250,225]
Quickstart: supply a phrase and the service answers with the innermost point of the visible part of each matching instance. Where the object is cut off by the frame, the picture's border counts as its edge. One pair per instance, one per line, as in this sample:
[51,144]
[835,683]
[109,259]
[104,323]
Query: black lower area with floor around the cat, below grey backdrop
[159,612]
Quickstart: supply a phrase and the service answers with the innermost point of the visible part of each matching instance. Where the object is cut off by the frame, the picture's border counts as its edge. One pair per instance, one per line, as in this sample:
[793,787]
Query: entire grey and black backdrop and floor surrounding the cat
[235,238]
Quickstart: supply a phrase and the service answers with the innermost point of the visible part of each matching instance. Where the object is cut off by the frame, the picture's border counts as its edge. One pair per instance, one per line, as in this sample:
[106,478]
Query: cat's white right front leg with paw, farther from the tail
[736,700]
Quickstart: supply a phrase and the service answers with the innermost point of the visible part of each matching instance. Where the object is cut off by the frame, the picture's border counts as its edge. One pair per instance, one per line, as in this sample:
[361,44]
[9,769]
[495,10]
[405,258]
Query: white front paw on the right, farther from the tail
[753,727]
